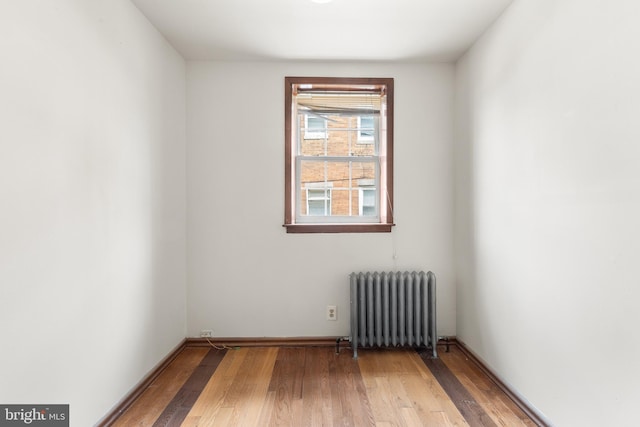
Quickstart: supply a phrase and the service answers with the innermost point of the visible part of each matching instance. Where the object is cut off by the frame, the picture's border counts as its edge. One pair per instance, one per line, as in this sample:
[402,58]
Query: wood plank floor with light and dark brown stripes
[312,386]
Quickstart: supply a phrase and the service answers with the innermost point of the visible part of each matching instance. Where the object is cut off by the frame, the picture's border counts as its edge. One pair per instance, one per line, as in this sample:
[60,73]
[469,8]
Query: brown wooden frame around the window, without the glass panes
[385,192]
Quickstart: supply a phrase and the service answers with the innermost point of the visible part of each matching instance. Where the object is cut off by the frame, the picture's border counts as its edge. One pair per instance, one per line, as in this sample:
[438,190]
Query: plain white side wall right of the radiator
[548,206]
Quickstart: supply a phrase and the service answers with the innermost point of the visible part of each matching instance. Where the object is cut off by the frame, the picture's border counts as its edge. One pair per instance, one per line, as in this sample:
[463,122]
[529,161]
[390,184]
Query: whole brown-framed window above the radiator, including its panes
[338,154]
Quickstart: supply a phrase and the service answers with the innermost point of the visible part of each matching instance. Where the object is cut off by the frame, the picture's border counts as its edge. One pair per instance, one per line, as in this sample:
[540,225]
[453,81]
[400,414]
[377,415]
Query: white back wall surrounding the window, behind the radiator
[247,276]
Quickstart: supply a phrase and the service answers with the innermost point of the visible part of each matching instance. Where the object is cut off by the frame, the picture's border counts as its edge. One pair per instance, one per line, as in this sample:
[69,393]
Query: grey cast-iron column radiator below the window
[393,309]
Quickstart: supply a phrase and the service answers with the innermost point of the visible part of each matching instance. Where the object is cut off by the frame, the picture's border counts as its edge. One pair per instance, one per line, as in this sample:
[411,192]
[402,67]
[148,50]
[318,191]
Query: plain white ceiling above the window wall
[341,30]
